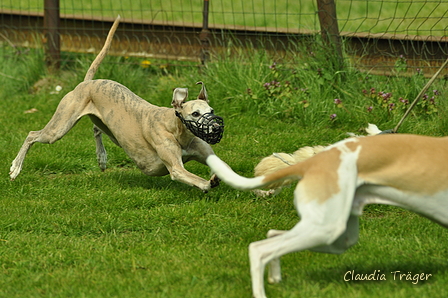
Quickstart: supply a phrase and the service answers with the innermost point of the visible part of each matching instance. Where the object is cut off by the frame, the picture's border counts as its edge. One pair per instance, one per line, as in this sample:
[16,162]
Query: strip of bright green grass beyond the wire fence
[396,17]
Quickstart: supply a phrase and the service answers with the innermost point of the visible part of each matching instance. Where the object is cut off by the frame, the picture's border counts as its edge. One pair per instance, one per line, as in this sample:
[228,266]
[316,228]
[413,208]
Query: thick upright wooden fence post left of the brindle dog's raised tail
[51,31]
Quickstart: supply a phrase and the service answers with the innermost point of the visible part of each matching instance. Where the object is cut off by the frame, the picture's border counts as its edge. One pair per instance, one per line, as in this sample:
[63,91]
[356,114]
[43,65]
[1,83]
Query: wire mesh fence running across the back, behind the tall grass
[374,34]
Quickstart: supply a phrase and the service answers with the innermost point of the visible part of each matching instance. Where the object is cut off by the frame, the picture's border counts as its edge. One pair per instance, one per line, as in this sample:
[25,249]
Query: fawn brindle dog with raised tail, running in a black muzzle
[154,137]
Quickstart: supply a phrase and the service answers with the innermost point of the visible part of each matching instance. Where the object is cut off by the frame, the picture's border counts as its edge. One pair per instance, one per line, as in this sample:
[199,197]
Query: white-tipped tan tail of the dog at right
[226,174]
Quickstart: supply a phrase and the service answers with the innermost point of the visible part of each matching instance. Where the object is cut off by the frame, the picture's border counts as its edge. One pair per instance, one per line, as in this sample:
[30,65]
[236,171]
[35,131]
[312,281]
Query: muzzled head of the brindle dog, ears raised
[197,115]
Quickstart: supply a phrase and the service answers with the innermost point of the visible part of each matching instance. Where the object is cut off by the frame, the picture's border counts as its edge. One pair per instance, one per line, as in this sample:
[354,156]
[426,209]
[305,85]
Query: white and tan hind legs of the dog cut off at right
[324,201]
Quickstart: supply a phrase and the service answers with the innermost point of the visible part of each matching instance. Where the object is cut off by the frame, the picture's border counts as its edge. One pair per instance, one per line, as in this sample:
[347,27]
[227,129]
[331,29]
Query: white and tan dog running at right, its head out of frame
[395,169]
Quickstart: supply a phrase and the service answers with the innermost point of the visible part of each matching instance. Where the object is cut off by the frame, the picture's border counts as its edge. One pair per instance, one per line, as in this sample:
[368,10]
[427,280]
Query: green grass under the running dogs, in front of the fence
[69,230]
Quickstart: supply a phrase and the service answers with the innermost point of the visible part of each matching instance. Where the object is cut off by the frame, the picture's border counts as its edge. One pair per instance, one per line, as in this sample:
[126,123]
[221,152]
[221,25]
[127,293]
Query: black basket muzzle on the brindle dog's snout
[208,127]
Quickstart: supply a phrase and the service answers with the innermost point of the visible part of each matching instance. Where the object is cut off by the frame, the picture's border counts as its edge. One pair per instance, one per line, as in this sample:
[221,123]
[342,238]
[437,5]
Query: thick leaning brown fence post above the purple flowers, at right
[329,26]
